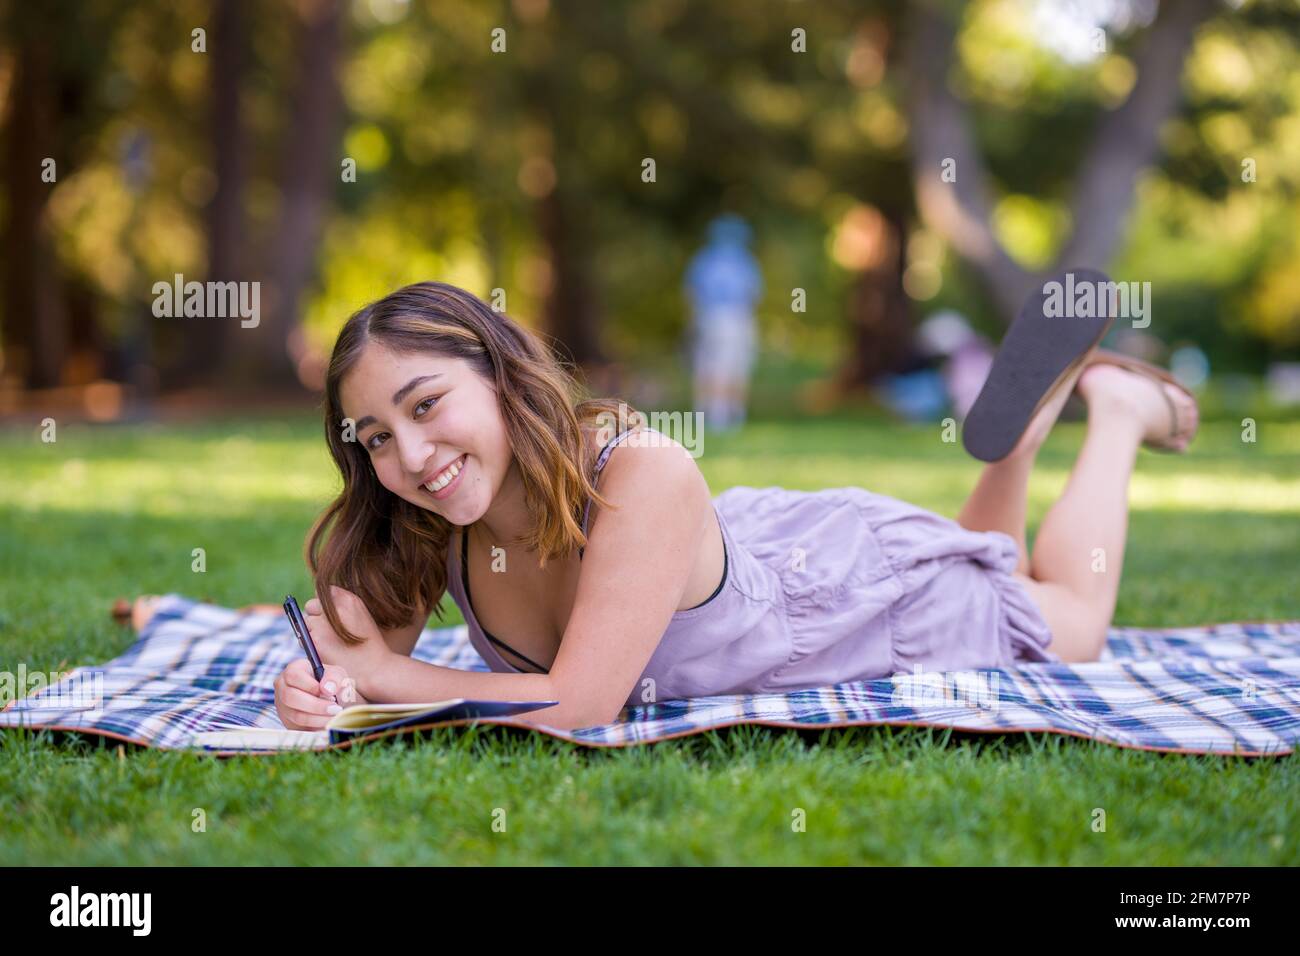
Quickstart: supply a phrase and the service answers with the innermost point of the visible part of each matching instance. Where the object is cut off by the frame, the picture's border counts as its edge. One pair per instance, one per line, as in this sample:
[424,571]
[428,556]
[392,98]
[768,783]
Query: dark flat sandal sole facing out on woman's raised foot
[1038,353]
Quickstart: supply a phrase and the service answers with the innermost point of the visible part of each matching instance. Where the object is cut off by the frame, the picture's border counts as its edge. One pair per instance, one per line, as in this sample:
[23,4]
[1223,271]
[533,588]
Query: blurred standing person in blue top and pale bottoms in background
[723,284]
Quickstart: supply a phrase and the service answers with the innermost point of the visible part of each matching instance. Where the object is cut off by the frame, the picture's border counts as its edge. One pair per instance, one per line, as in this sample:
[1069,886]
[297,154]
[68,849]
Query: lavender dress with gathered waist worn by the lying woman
[826,587]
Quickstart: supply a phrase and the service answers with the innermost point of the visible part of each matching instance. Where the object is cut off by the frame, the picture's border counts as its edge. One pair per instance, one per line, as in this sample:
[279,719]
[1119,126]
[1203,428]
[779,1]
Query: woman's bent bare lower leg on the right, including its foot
[1080,551]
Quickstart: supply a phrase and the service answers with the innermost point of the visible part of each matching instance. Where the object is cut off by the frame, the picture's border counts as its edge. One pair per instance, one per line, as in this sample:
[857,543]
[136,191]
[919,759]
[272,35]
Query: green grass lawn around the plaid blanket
[111,512]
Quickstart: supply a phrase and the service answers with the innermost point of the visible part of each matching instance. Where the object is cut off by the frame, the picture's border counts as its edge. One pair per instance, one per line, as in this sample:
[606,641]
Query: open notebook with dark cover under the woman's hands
[359,721]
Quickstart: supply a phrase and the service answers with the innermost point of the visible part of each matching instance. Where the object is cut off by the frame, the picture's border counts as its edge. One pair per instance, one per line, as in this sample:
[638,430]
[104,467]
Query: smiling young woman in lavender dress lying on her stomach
[470,468]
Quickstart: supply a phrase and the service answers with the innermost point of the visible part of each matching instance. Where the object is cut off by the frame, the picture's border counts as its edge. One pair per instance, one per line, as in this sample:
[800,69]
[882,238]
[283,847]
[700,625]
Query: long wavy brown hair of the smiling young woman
[392,553]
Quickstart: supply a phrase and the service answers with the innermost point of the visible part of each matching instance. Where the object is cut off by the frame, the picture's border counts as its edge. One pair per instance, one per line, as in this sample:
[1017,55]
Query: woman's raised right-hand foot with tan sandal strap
[1134,396]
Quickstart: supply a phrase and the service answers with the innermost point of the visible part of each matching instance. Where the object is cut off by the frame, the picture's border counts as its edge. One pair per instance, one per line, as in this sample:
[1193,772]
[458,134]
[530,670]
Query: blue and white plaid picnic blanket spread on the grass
[1229,689]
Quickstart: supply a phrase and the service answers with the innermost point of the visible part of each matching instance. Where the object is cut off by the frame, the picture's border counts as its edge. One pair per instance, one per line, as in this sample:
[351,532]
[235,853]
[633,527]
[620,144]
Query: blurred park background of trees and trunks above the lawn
[896,176]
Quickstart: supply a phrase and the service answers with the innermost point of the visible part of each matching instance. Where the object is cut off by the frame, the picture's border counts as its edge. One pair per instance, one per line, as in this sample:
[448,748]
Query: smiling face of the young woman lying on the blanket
[417,414]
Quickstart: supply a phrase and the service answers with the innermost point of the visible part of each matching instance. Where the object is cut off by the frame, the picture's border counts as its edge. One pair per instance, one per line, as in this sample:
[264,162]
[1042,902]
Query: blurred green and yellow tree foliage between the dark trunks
[458,146]
